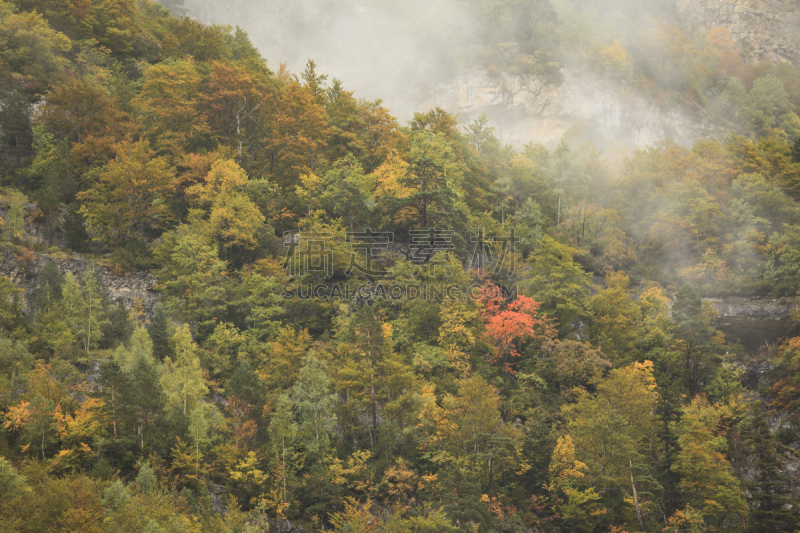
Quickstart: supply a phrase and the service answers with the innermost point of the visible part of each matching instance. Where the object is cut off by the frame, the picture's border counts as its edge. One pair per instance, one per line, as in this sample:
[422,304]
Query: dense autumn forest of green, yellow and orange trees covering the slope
[563,374]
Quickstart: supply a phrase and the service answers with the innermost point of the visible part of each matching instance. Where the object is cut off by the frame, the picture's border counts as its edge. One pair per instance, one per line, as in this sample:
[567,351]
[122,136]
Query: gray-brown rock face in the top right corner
[765,31]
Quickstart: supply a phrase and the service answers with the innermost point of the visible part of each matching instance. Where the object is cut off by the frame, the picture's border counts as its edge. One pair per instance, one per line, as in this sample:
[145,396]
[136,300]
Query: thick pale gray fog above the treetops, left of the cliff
[392,50]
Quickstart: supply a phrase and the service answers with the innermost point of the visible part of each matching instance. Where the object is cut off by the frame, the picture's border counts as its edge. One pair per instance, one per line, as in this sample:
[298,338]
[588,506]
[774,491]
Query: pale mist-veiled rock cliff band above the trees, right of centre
[527,108]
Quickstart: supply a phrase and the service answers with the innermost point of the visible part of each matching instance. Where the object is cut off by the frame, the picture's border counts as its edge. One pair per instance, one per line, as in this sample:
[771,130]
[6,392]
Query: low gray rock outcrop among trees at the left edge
[137,288]
